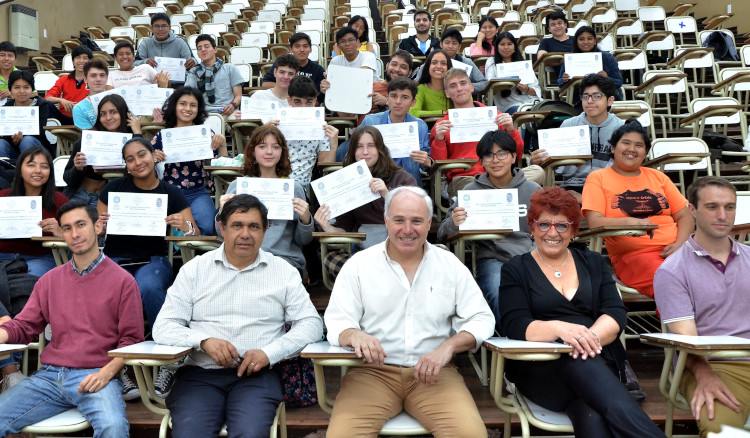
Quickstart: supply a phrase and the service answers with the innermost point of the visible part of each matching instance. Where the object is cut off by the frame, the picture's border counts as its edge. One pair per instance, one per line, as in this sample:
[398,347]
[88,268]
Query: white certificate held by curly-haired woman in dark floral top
[191,143]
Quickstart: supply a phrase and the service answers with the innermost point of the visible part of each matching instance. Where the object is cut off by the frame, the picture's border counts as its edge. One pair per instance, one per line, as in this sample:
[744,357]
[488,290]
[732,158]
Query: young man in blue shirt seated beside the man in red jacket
[401,95]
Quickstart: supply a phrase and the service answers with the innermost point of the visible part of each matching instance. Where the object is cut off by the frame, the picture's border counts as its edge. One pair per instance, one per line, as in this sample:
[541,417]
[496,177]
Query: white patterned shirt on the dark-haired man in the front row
[210,298]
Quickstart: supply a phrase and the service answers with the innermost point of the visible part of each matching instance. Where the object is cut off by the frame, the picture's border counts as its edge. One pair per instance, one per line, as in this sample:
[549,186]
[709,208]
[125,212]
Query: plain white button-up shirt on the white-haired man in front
[373,294]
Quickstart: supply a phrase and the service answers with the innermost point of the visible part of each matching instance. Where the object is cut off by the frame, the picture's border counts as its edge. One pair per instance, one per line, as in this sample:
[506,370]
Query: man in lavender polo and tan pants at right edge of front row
[702,289]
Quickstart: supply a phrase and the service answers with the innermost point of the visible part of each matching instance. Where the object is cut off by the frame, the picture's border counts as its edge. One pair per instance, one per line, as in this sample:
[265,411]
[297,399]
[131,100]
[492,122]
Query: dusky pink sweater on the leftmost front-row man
[89,315]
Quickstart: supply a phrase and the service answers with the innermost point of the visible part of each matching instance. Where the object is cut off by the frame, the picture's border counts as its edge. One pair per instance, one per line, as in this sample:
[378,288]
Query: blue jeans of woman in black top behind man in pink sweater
[153,280]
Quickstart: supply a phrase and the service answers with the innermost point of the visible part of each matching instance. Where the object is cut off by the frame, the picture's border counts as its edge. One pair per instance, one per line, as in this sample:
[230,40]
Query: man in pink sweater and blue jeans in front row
[92,306]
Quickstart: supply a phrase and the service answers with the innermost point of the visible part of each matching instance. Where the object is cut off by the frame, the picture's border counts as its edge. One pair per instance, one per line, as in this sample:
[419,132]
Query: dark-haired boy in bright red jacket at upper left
[71,89]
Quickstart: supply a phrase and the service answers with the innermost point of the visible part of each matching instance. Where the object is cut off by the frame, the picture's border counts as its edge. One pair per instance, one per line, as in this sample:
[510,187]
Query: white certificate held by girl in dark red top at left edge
[20,217]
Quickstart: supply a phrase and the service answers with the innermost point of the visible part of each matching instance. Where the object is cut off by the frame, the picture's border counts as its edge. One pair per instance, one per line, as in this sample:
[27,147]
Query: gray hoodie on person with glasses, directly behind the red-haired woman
[515,243]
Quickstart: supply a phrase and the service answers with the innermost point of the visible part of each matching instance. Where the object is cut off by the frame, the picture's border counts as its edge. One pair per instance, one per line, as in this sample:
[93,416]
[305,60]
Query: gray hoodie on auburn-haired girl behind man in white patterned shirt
[284,239]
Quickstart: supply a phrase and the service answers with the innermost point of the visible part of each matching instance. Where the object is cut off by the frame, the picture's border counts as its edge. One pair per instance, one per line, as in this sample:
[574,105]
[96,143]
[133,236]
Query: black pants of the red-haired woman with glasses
[595,400]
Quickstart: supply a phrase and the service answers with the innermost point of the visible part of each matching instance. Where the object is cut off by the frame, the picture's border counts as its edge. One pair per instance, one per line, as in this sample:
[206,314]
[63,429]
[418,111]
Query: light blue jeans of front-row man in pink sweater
[53,390]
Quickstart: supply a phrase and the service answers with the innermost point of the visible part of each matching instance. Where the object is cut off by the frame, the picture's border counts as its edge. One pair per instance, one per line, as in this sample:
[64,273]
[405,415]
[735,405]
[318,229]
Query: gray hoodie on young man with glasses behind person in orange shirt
[575,176]
